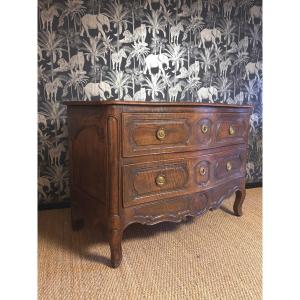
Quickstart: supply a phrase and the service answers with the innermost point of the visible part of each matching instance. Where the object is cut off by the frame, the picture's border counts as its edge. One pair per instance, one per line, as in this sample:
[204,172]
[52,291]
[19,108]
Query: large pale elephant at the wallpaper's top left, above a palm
[89,21]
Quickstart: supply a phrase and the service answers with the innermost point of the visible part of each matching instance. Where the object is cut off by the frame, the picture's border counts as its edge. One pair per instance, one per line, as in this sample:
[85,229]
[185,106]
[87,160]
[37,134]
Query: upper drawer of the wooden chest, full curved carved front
[156,133]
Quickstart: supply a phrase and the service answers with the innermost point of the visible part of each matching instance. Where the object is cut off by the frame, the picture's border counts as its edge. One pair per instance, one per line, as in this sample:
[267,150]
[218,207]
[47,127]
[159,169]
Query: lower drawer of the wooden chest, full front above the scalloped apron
[152,181]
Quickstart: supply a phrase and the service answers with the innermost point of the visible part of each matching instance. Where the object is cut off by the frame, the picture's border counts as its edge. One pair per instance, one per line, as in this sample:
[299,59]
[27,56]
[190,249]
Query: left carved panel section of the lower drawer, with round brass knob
[147,182]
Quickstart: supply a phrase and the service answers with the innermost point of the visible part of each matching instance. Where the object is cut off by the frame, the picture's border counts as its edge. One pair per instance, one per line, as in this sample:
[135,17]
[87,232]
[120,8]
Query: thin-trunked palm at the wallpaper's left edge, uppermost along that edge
[52,45]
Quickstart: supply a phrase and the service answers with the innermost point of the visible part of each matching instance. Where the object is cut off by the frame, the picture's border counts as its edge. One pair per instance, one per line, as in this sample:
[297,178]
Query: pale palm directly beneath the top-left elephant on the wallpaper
[95,51]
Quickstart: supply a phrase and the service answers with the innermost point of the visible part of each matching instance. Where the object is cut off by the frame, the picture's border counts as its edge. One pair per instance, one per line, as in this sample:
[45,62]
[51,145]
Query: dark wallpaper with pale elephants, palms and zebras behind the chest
[149,50]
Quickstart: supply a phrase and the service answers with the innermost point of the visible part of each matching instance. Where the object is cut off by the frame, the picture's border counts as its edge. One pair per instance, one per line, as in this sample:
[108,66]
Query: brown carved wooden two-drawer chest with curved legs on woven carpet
[152,162]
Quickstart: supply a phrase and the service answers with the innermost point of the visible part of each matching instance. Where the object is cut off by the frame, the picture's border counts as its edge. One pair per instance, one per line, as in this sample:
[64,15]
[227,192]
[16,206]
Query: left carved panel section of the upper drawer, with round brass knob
[155,133]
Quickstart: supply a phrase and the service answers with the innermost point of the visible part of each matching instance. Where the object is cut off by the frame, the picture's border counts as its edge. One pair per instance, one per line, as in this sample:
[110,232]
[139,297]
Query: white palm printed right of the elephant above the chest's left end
[119,82]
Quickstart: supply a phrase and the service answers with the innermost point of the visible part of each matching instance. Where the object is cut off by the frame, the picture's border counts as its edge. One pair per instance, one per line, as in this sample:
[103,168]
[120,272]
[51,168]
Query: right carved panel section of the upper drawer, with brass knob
[231,129]
